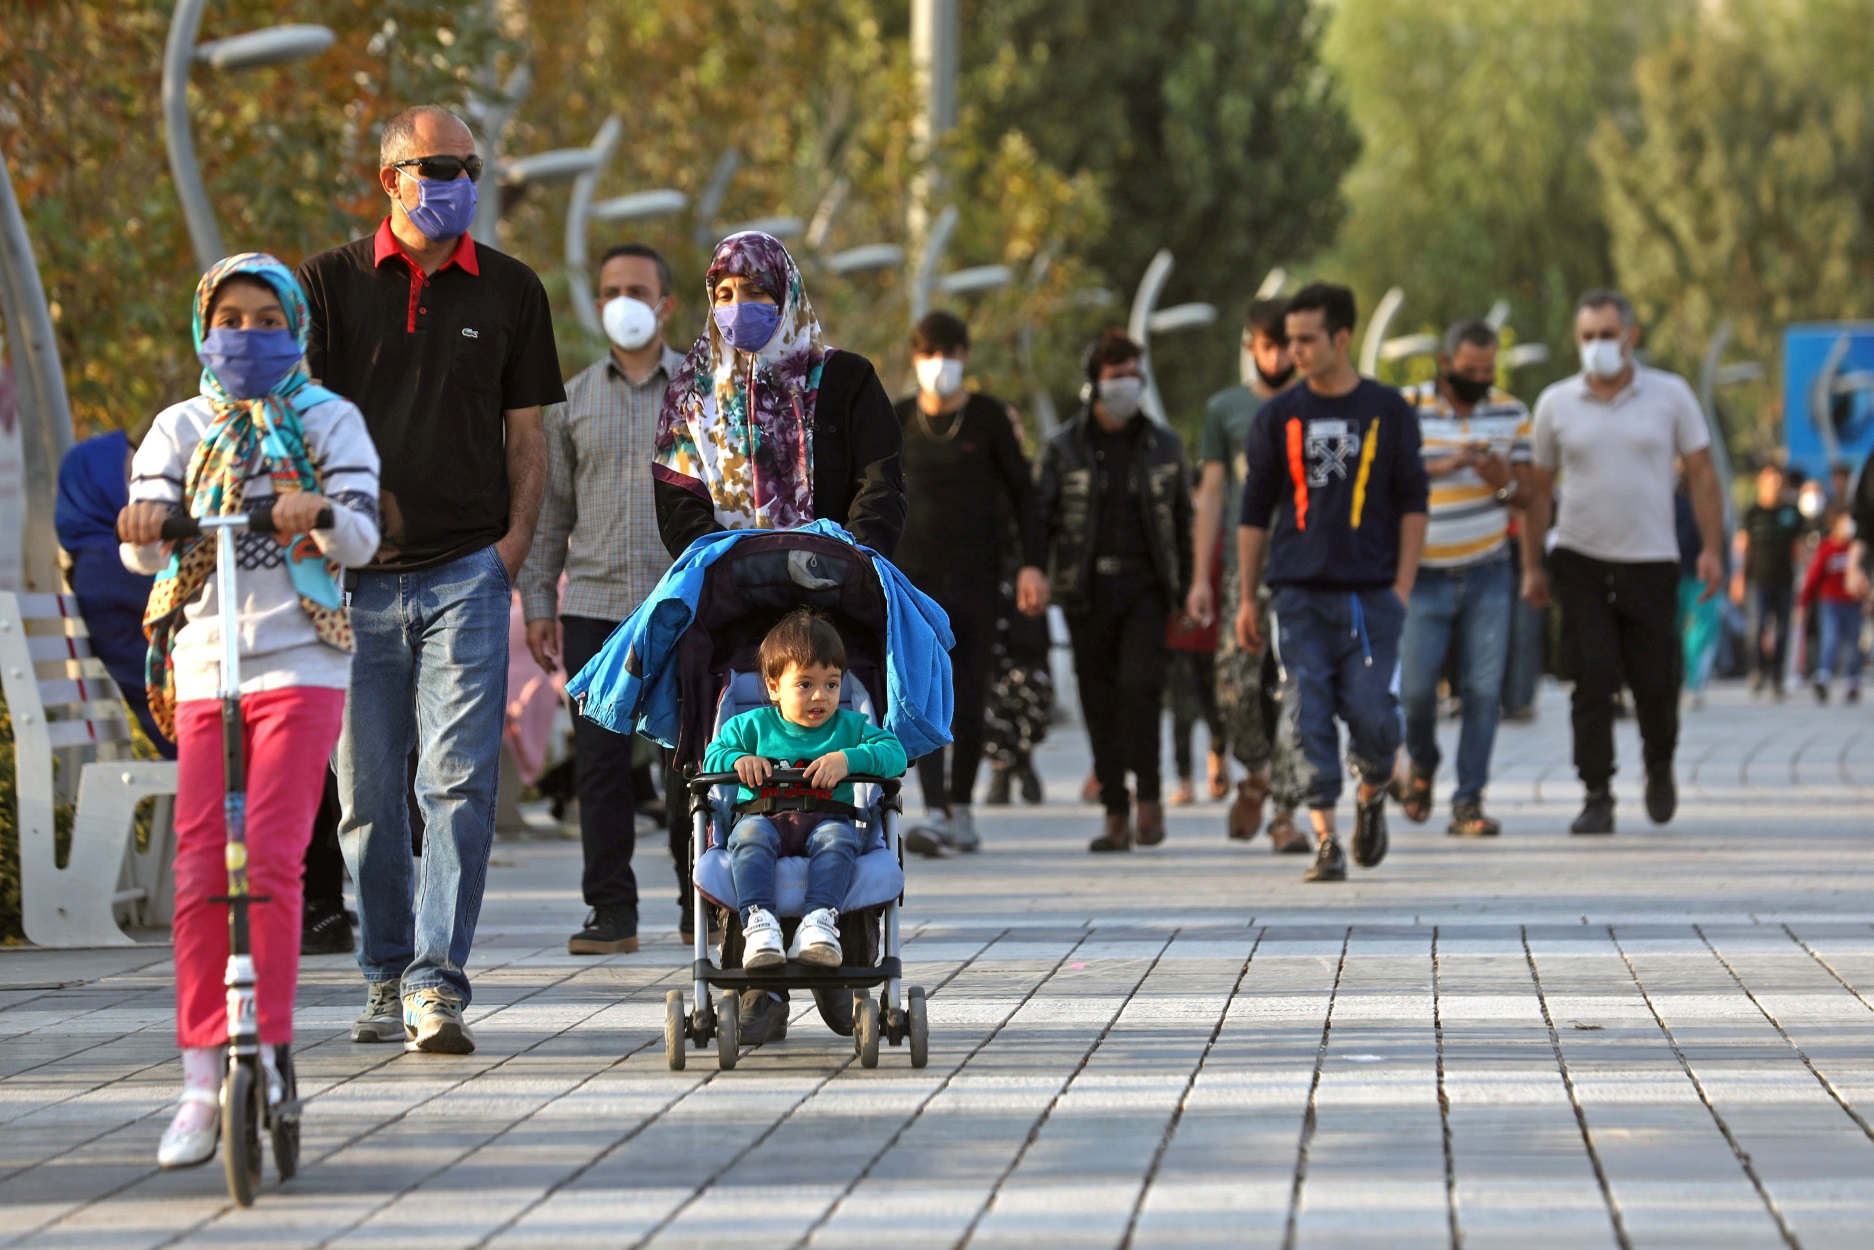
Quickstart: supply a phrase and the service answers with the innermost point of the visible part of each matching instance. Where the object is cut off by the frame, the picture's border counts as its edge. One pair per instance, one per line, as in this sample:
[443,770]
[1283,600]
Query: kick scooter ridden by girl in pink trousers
[246,1107]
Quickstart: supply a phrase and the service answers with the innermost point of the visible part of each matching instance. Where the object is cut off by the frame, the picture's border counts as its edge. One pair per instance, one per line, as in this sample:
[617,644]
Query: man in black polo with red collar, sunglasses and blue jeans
[449,351]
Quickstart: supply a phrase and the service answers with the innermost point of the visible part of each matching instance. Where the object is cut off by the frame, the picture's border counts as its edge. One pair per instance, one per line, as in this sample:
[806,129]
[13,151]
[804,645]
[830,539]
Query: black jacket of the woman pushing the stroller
[857,475]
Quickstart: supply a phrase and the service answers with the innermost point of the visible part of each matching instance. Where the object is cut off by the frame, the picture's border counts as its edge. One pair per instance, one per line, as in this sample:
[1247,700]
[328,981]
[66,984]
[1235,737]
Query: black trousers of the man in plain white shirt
[1620,621]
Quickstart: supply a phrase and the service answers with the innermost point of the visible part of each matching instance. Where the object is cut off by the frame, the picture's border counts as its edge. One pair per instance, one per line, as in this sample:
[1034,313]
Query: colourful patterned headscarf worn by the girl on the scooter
[243,432]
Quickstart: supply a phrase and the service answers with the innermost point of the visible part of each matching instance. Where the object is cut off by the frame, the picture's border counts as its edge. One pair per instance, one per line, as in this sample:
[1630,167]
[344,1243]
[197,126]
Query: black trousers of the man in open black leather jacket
[1120,662]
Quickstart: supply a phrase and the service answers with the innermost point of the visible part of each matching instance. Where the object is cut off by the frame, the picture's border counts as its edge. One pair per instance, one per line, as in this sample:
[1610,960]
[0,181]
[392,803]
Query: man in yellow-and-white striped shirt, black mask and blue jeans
[1476,447]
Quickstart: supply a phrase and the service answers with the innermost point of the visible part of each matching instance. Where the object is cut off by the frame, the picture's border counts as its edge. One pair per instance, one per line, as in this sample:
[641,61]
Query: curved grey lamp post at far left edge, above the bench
[46,411]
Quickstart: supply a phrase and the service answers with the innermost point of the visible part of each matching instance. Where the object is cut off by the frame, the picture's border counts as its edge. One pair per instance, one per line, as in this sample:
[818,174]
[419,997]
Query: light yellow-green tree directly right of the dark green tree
[1474,181]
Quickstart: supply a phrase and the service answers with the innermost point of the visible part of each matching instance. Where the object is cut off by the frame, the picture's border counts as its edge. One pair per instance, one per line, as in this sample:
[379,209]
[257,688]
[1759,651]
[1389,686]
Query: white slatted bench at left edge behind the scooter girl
[67,707]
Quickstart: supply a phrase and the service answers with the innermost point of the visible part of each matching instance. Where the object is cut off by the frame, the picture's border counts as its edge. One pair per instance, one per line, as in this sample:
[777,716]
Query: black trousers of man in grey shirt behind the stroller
[602,777]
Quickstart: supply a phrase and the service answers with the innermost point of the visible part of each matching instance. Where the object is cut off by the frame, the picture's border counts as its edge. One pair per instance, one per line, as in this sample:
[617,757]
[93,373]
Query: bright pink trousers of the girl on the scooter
[288,741]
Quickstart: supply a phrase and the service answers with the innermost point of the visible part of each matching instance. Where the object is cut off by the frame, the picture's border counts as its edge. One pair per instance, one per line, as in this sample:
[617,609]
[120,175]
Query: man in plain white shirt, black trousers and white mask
[1613,434]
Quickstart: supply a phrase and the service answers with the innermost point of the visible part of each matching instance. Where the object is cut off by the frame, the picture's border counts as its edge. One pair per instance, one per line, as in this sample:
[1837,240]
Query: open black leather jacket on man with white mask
[1067,494]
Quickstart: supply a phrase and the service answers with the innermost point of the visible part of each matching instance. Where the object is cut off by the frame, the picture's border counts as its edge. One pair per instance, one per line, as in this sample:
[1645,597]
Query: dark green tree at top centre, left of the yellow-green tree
[1210,125]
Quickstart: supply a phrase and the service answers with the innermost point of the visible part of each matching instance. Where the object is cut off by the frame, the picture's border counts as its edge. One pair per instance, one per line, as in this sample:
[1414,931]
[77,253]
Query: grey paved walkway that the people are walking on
[1658,1039]
